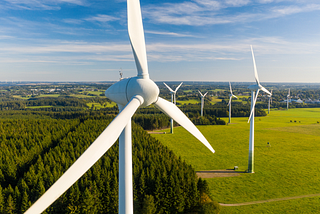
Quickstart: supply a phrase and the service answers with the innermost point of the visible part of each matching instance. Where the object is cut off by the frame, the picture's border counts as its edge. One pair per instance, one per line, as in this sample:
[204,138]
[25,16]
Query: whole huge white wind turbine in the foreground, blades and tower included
[129,94]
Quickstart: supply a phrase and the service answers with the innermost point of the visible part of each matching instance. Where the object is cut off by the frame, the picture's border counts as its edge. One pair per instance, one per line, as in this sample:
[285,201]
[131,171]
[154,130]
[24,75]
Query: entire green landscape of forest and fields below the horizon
[286,145]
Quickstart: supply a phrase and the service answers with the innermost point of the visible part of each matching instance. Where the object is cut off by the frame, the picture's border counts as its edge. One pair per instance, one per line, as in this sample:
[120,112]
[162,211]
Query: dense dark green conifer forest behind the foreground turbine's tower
[35,152]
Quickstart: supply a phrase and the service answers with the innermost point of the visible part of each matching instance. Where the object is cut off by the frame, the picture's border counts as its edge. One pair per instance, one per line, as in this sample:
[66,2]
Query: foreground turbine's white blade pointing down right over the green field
[175,113]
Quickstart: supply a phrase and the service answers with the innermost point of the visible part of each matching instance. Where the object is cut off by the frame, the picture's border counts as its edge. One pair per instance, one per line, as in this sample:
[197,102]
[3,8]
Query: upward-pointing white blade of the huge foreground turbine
[136,35]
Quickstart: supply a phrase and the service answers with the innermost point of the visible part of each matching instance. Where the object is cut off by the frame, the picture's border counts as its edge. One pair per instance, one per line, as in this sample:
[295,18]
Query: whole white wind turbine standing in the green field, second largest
[257,87]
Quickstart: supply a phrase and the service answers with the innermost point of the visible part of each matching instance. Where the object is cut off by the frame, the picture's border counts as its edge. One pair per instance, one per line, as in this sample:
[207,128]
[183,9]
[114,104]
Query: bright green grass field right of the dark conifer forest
[287,168]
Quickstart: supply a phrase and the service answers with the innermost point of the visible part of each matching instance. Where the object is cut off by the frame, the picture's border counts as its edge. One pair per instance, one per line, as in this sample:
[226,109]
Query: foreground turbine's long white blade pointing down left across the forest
[106,139]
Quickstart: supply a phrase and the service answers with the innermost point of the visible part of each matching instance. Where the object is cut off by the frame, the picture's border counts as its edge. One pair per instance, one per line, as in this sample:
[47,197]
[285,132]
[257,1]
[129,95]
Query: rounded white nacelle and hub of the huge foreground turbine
[122,91]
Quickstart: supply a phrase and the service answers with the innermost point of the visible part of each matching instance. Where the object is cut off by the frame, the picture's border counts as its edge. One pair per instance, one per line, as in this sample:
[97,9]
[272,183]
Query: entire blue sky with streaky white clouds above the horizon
[187,40]
